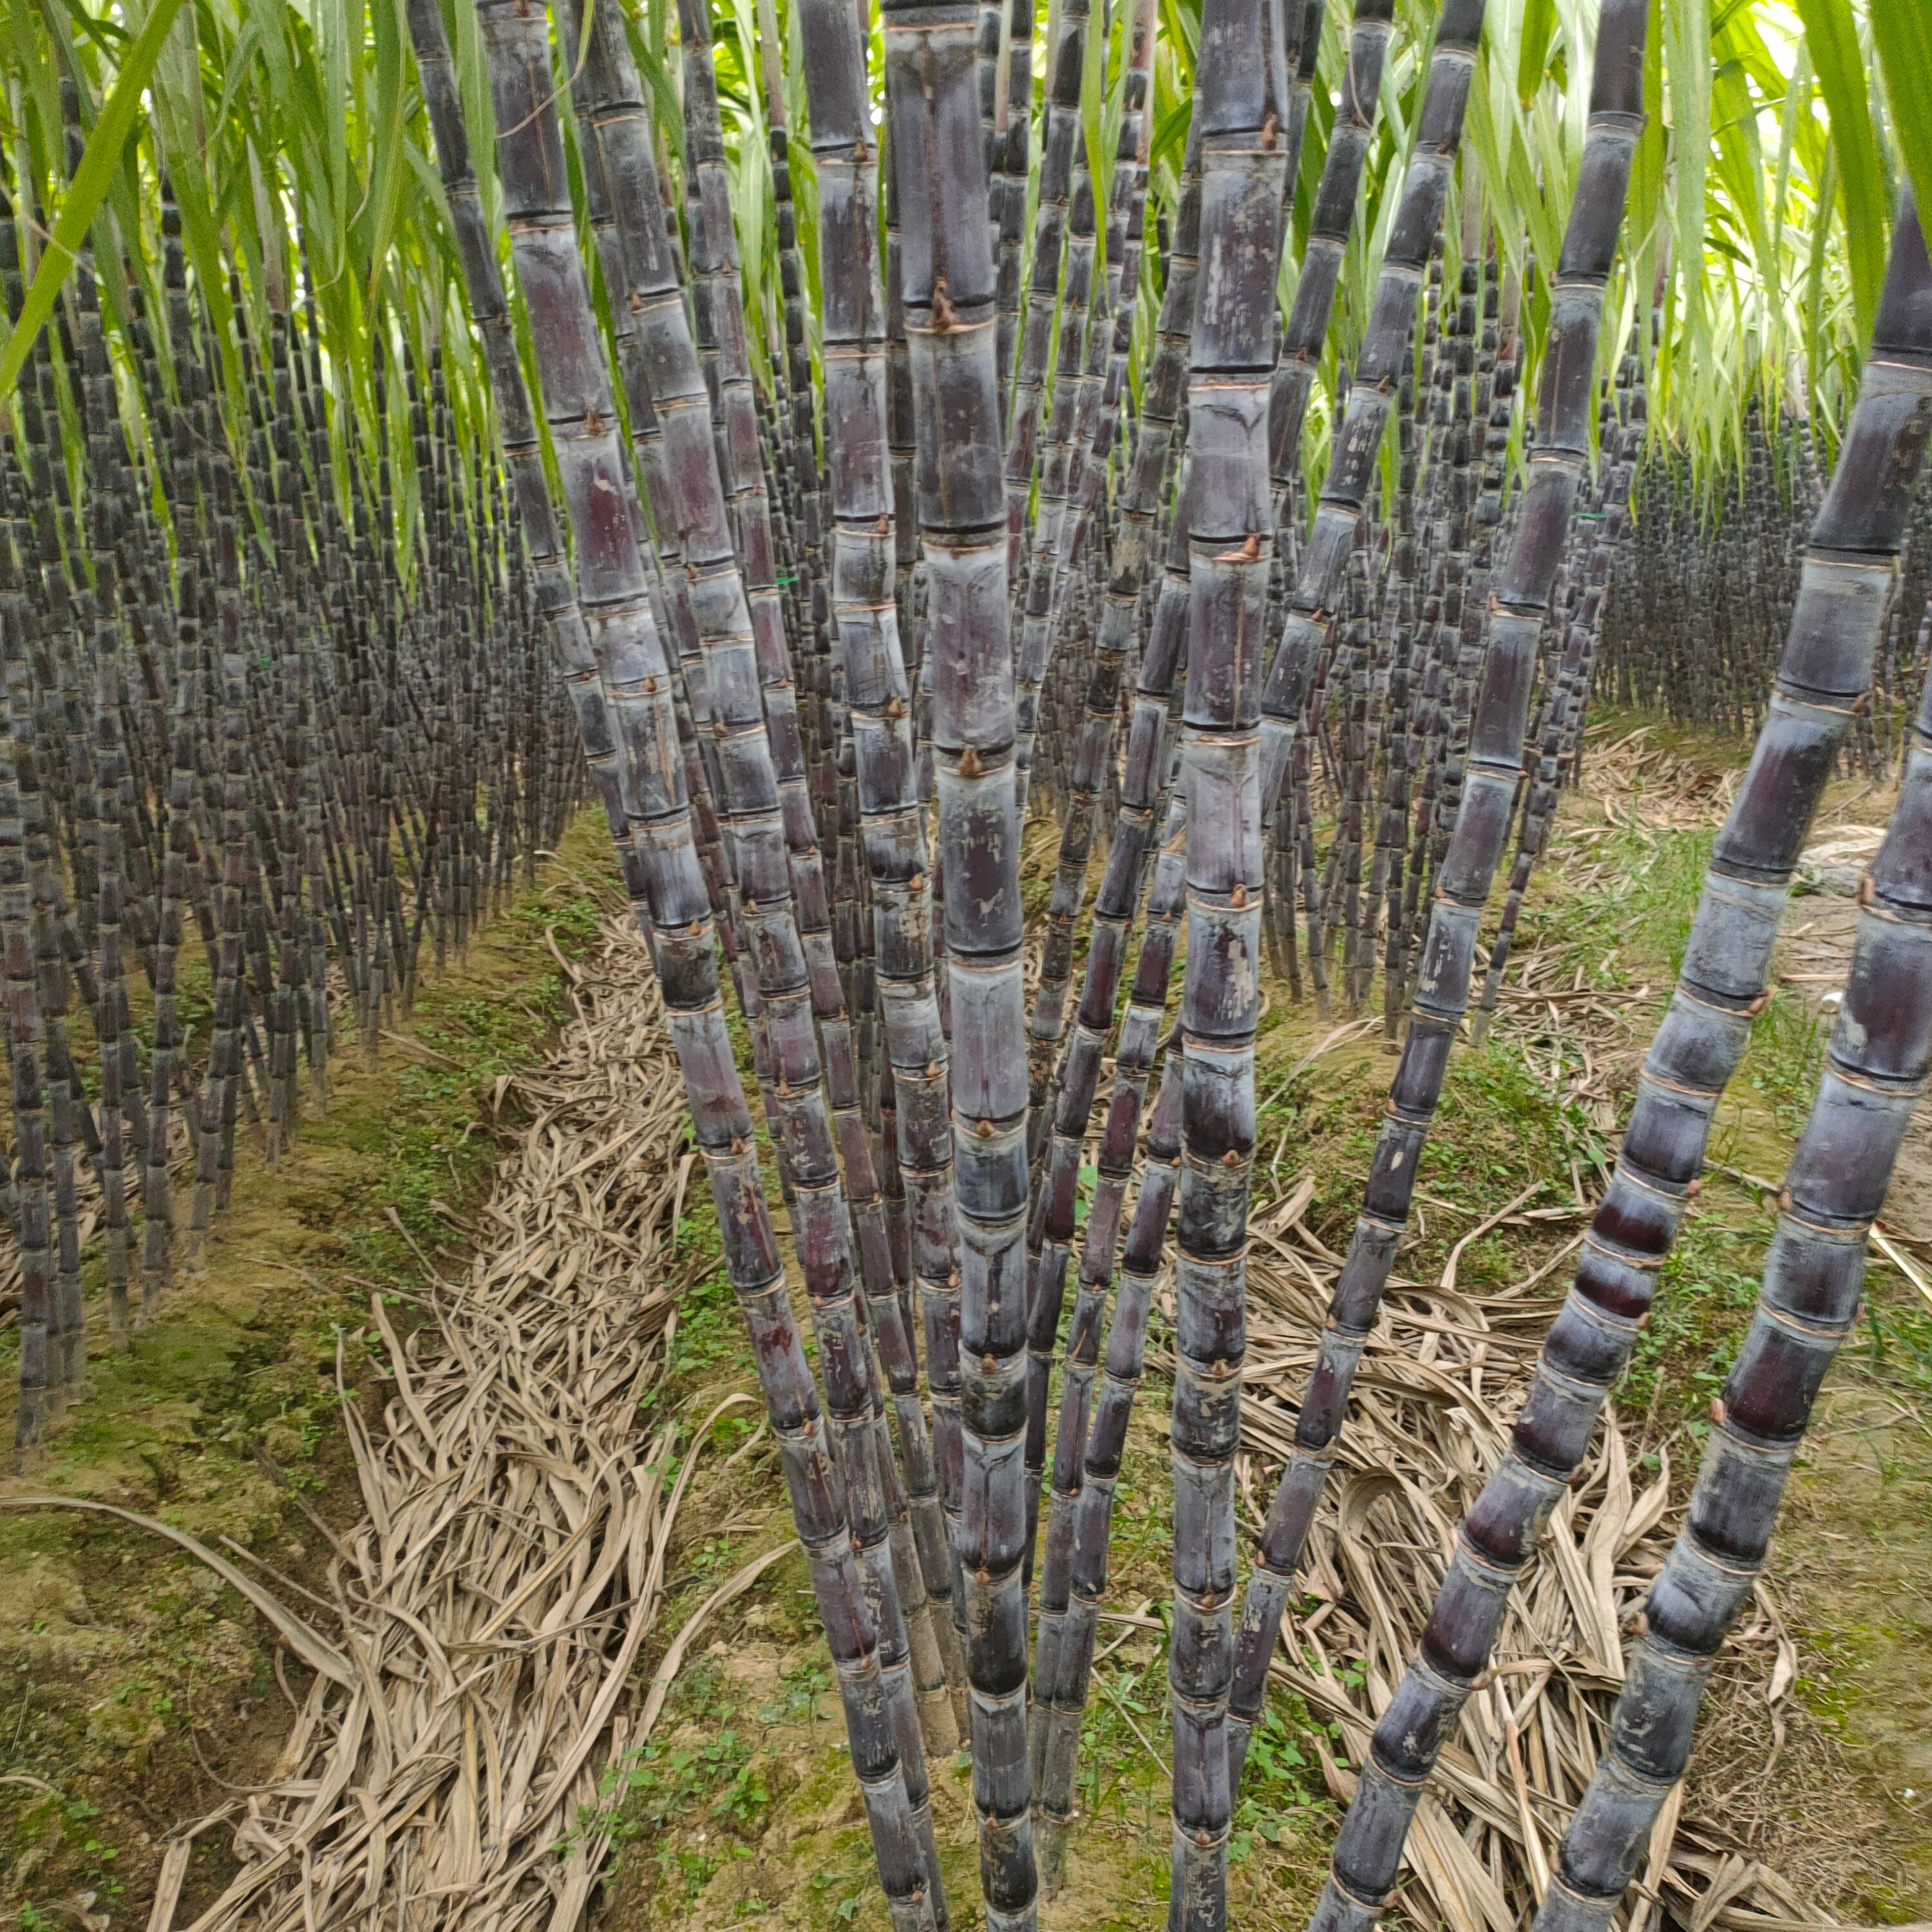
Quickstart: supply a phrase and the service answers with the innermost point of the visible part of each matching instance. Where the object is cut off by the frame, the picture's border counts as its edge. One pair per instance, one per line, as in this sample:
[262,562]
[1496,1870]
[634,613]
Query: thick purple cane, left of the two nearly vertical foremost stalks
[952,329]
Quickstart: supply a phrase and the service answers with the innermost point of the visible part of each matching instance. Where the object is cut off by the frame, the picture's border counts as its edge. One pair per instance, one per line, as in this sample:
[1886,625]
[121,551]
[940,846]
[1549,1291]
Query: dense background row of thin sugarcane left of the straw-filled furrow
[229,722]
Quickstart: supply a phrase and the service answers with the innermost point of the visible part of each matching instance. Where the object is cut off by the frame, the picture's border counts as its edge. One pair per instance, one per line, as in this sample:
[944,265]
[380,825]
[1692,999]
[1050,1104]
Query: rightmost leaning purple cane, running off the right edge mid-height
[1834,1187]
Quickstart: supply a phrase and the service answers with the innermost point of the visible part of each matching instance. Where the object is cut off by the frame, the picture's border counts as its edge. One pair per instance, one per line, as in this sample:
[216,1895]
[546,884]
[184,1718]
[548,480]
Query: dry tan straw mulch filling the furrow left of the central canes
[476,1635]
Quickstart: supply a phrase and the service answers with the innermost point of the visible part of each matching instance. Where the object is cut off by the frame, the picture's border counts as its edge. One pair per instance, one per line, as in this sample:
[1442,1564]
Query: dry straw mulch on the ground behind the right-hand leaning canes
[1442,1380]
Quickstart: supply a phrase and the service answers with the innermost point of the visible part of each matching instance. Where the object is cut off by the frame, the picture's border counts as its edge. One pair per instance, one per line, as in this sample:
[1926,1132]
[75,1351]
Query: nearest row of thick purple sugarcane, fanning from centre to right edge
[822,600]
